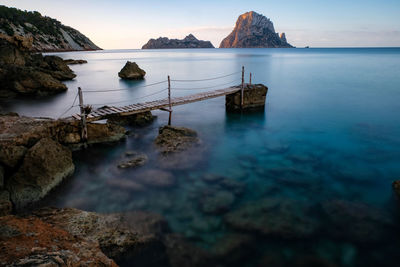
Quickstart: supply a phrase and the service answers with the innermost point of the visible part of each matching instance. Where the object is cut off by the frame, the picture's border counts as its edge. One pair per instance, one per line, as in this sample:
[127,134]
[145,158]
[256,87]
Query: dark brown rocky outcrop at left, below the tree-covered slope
[23,73]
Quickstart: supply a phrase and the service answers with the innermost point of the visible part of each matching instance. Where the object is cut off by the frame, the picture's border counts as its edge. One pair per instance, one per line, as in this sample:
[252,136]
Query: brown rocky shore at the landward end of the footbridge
[35,155]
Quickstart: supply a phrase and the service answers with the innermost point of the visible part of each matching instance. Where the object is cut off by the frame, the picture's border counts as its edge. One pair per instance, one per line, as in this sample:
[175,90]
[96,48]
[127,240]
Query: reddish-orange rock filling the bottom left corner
[32,242]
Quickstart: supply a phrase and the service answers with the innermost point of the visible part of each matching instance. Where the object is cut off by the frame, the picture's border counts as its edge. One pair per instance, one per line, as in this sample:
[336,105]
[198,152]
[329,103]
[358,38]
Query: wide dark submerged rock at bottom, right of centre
[284,218]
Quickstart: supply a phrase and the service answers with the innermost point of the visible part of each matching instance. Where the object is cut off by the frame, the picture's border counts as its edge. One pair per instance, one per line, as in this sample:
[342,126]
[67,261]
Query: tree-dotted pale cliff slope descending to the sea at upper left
[47,34]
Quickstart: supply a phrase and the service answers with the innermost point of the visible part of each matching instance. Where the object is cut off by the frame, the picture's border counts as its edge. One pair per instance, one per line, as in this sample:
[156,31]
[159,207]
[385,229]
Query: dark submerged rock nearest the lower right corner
[356,222]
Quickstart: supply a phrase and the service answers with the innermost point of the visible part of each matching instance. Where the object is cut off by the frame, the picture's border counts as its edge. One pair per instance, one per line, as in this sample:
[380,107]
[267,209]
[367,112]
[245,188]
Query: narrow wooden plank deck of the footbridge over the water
[108,111]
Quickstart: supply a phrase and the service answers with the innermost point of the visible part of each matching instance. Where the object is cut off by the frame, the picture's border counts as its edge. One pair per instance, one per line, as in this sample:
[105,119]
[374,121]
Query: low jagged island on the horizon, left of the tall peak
[188,42]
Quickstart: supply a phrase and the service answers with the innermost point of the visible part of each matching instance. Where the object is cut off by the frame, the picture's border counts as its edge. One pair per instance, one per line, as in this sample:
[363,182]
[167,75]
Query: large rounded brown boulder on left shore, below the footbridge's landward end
[45,165]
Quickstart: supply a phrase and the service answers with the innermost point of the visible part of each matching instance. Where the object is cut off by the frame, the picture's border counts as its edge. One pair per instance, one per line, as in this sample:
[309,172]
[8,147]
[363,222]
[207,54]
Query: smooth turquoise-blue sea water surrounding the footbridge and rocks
[326,149]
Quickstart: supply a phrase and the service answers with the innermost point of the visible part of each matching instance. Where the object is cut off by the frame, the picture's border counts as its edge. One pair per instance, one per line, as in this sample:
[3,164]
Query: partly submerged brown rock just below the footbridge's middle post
[175,139]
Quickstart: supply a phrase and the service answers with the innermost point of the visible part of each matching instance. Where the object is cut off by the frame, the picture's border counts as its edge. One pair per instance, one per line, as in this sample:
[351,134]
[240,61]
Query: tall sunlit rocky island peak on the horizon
[253,30]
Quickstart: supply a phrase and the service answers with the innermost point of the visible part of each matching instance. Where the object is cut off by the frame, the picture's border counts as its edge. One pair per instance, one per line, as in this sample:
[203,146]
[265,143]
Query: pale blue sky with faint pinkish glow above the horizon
[124,24]
